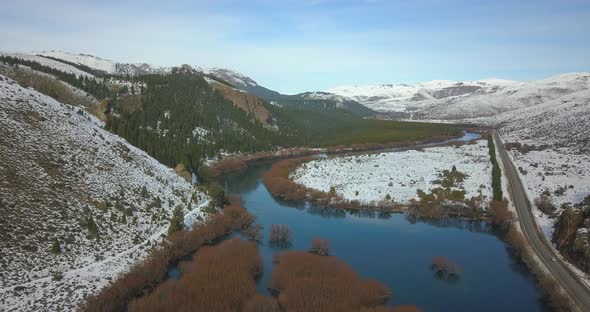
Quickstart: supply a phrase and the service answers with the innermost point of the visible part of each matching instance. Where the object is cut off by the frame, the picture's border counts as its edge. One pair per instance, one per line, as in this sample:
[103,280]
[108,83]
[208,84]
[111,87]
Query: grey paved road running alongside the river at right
[579,293]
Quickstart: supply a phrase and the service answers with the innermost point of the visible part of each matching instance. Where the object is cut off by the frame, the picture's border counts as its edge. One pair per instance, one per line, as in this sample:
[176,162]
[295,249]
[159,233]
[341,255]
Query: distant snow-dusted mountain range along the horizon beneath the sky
[433,100]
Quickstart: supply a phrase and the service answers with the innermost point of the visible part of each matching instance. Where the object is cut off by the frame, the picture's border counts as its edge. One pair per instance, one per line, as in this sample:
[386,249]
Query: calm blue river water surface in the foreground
[398,251]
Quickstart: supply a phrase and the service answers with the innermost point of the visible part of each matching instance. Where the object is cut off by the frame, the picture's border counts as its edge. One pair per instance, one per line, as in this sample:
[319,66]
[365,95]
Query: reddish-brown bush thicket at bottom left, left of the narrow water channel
[221,278]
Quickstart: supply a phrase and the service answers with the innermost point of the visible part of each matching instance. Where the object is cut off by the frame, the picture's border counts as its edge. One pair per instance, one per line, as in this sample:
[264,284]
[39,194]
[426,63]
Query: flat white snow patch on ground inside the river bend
[398,174]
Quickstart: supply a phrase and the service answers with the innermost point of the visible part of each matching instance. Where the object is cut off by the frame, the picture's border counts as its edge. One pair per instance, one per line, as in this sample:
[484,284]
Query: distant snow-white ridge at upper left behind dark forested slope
[107,66]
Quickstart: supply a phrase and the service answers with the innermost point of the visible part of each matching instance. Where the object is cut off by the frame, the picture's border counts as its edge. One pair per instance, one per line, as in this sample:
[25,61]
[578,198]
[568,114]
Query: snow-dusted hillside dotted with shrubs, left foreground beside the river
[78,204]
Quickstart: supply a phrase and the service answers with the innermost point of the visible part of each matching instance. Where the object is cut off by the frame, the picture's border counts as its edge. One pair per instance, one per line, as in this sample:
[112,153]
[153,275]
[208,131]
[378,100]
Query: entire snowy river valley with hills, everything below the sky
[113,176]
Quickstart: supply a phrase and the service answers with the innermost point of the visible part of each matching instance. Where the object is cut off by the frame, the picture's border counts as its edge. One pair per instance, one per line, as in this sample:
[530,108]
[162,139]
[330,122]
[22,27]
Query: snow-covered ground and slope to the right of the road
[558,134]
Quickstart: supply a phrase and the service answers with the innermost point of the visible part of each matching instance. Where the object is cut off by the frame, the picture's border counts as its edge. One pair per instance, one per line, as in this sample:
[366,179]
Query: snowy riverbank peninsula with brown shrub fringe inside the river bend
[453,180]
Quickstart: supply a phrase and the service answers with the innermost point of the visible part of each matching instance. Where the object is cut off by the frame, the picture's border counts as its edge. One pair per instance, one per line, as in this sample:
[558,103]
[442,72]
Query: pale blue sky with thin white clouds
[305,45]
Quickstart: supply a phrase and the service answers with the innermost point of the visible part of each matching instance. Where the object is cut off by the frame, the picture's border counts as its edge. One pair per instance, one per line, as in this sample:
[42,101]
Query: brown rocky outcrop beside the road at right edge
[571,237]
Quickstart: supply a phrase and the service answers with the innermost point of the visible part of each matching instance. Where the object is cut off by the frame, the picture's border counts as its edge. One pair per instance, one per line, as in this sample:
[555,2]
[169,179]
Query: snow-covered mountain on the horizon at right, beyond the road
[442,99]
